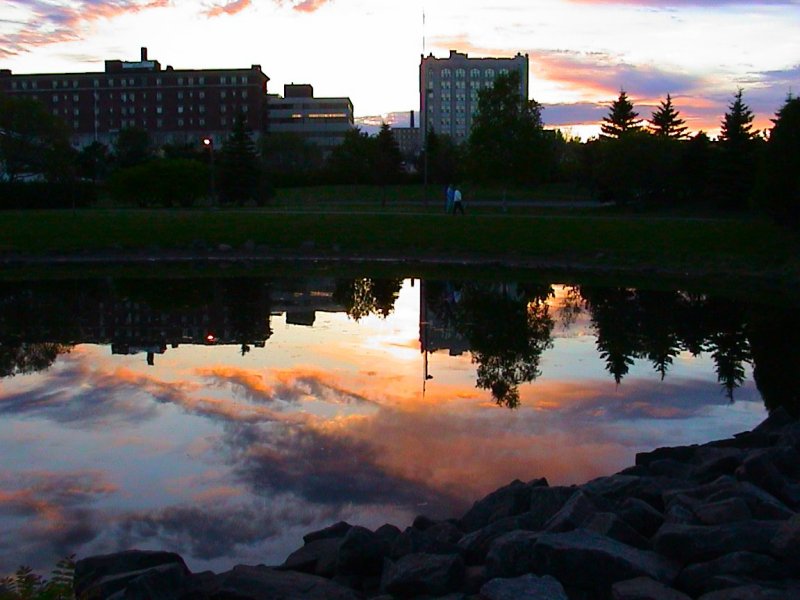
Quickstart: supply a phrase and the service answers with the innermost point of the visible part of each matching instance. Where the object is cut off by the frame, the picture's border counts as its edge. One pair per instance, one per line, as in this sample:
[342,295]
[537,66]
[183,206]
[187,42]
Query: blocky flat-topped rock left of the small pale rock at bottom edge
[418,574]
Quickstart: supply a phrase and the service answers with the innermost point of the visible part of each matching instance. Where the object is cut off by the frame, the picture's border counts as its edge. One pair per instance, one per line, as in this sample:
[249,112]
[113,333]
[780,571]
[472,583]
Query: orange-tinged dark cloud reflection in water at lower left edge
[53,511]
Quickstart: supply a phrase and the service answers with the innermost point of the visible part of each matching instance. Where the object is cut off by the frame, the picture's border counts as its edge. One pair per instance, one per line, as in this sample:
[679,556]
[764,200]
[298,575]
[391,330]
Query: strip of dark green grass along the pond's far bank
[663,243]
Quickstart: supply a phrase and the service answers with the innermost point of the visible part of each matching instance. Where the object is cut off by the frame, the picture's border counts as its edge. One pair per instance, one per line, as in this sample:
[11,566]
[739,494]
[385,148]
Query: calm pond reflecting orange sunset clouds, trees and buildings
[222,419]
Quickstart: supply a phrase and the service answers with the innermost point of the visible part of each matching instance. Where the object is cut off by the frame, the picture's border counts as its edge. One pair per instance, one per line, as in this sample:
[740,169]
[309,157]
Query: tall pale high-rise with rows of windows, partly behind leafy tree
[448,89]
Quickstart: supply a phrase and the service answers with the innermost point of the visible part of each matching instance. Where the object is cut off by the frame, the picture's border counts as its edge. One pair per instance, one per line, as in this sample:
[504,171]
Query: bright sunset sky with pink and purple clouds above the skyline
[581,51]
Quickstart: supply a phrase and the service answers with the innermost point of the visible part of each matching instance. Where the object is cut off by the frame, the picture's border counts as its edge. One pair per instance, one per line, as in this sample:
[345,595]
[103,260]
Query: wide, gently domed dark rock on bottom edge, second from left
[256,583]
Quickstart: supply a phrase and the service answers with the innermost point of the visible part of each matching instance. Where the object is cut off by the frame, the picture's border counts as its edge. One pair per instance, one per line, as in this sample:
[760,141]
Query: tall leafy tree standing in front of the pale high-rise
[507,141]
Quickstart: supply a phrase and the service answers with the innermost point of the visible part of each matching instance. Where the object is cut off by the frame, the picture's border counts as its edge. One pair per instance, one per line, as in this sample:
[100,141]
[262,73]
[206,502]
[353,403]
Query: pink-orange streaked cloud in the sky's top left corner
[50,22]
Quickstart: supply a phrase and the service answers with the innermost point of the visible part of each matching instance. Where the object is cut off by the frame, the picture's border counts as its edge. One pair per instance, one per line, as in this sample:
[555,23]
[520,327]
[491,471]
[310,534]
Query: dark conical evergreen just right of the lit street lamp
[239,172]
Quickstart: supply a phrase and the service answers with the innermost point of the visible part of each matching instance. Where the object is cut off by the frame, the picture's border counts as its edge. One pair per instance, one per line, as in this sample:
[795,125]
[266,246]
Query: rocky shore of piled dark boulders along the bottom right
[716,521]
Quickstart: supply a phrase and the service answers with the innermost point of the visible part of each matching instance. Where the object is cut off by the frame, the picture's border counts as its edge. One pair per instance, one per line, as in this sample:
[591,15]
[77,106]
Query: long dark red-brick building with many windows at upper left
[173,105]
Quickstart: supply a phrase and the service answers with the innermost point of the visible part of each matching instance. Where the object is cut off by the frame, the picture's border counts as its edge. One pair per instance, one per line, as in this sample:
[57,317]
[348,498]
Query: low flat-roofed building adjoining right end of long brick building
[321,121]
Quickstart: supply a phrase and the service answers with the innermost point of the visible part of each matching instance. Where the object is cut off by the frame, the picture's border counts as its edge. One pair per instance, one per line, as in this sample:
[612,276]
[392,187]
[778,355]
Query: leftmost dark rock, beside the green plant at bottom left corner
[103,575]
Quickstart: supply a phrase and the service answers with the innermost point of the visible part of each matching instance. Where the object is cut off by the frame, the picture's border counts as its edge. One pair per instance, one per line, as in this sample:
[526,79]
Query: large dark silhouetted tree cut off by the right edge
[779,186]
